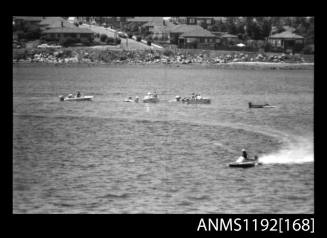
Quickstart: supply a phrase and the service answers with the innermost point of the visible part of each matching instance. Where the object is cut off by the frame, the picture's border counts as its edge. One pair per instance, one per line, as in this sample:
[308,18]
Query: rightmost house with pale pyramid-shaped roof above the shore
[287,41]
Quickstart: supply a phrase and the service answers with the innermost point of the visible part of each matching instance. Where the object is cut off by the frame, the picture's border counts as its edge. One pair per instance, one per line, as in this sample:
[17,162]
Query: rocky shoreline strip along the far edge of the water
[84,56]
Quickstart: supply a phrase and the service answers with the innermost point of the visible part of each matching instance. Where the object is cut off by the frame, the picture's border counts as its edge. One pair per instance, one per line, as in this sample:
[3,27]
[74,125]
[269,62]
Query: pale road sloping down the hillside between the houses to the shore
[130,44]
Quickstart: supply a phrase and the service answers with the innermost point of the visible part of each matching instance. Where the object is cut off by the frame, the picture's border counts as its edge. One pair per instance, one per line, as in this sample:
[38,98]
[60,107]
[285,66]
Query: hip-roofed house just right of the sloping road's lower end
[198,38]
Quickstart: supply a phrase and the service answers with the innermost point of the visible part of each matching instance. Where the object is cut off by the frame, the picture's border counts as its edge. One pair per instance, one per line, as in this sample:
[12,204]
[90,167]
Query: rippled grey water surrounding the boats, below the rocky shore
[109,156]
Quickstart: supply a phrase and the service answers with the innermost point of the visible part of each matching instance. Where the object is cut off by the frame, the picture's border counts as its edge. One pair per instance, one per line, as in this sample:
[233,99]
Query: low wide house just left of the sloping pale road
[61,34]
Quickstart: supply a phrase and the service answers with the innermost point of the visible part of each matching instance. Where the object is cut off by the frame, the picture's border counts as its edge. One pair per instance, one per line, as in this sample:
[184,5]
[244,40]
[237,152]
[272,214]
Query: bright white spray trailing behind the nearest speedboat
[298,152]
